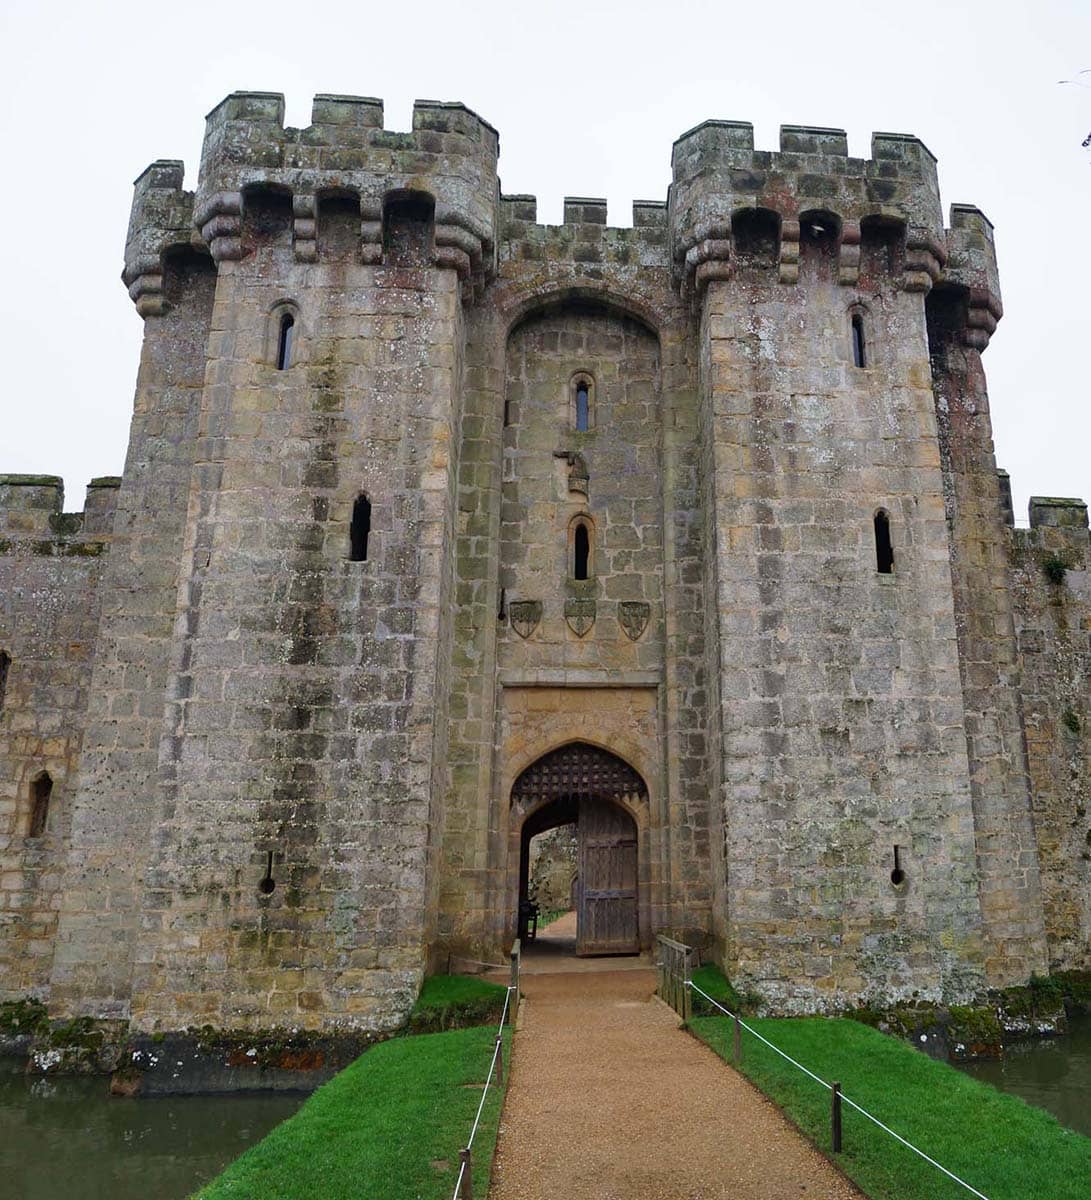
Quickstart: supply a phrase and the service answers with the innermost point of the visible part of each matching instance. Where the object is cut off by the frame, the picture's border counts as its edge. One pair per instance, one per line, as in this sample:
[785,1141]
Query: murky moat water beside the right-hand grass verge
[1053,1073]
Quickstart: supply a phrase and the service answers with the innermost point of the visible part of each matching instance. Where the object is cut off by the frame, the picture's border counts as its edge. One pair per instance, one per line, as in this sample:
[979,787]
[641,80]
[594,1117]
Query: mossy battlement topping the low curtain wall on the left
[32,514]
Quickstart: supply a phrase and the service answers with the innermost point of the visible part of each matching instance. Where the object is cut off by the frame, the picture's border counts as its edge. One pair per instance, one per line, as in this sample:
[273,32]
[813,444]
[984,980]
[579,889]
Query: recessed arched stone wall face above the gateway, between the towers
[543,497]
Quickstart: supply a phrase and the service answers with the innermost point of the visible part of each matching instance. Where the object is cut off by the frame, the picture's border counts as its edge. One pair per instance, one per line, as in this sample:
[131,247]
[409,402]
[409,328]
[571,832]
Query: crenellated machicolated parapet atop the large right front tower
[722,185]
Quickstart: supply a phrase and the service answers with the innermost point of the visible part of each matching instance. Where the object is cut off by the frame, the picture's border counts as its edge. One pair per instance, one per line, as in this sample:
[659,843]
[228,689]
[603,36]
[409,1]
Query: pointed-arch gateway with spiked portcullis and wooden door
[596,791]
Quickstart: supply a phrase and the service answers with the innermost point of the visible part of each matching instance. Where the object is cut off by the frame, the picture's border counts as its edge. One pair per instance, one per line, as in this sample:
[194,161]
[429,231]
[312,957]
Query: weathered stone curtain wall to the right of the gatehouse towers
[1053,620]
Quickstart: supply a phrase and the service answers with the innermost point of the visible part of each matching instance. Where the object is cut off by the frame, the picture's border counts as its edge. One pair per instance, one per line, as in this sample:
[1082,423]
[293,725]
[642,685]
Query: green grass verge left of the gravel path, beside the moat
[377,1127]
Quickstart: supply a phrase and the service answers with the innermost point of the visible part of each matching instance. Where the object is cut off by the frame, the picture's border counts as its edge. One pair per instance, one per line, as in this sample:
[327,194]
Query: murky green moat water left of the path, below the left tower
[69,1139]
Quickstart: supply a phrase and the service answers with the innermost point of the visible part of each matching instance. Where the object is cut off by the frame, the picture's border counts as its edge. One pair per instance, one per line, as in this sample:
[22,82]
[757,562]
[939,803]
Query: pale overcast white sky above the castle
[589,99]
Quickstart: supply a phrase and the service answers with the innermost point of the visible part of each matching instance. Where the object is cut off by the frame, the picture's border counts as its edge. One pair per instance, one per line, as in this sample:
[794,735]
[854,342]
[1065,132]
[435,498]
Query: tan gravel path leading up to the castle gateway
[610,1101]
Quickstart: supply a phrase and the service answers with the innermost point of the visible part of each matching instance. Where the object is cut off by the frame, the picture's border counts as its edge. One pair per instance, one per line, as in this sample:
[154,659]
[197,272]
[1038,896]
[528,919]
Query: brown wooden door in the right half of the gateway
[607,911]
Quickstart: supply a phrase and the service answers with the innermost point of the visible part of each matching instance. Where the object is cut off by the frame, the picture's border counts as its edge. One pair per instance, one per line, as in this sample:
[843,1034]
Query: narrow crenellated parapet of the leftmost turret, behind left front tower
[161,220]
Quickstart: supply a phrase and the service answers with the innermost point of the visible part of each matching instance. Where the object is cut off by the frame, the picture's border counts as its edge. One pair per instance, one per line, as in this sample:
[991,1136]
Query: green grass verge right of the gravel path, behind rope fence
[1006,1149]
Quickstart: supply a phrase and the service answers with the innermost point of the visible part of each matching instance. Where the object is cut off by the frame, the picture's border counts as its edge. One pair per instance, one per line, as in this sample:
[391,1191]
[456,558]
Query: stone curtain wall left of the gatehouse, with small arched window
[51,568]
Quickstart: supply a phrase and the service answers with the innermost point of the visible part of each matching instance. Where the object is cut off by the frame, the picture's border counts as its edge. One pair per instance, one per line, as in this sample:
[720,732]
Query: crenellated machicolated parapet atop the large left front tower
[451,157]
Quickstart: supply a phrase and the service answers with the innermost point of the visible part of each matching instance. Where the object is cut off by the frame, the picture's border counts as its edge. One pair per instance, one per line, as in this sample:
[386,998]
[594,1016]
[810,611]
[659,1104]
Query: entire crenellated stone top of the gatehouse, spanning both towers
[452,154]
